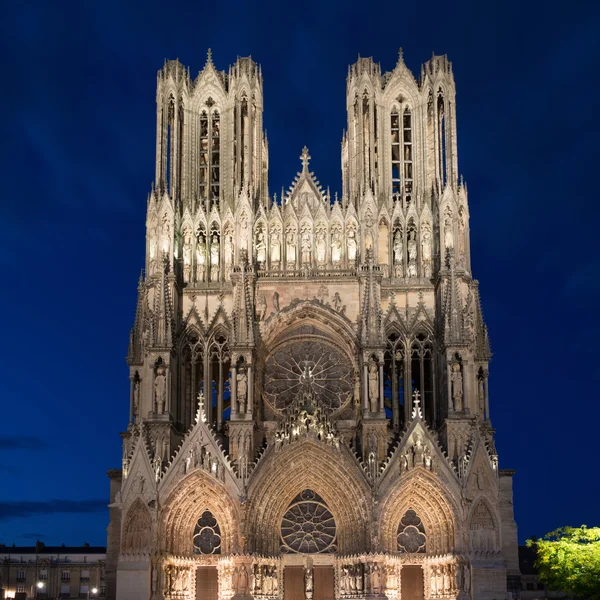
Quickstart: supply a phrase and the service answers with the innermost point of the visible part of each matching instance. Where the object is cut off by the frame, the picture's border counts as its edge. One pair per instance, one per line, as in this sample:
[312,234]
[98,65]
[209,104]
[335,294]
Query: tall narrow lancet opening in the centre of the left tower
[209,155]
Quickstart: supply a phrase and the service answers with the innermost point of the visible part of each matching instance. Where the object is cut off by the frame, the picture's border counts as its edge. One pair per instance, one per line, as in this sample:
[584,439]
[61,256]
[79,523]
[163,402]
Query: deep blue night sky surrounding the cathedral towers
[78,130]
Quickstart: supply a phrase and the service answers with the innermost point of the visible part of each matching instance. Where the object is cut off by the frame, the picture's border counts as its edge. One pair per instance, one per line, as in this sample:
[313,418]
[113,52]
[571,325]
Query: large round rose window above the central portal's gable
[316,362]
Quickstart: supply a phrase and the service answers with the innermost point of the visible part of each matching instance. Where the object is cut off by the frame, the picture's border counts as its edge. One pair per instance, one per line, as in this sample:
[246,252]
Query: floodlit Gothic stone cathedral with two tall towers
[309,407]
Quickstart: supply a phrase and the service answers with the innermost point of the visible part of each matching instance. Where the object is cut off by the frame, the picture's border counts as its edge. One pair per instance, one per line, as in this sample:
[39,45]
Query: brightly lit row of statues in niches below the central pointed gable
[306,248]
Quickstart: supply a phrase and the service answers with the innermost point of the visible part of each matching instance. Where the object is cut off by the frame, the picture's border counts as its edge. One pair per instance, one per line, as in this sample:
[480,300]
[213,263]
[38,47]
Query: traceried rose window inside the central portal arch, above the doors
[308,527]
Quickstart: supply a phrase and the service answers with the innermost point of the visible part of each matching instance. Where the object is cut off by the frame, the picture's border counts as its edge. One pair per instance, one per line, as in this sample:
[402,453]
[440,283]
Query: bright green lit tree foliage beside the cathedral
[568,560]
